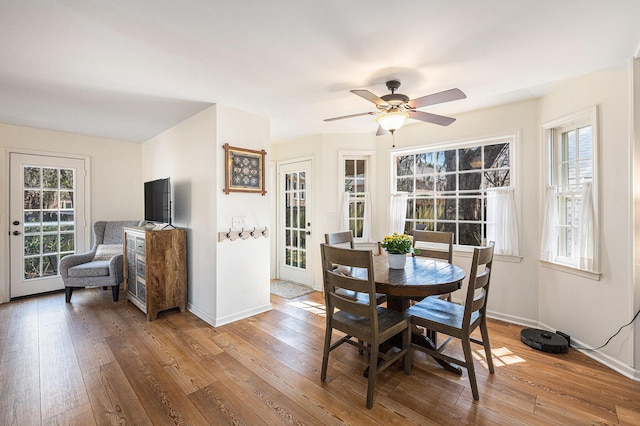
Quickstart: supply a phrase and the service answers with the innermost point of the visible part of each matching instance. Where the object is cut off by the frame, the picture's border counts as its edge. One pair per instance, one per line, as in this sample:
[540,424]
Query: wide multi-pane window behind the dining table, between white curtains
[447,187]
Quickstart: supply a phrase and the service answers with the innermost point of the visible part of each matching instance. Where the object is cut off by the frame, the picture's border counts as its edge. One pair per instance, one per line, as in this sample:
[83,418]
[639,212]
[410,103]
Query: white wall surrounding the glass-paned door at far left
[115,173]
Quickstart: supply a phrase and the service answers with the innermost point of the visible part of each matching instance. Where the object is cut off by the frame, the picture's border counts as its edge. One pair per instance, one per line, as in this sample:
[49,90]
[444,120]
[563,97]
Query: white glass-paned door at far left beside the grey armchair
[46,206]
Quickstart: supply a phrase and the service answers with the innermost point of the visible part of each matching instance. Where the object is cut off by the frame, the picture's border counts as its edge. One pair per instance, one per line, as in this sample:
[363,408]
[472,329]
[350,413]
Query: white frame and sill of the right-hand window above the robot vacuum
[552,131]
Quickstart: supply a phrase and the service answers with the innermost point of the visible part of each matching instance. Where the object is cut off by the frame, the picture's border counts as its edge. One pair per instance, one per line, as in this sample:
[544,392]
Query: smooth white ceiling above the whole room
[129,69]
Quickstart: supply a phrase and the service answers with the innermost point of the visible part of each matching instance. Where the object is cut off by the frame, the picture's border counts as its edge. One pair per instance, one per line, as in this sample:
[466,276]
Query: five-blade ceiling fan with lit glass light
[395,108]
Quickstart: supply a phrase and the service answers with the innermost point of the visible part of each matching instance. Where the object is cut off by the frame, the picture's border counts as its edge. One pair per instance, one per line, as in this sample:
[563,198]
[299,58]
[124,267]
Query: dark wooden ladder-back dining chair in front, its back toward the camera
[366,322]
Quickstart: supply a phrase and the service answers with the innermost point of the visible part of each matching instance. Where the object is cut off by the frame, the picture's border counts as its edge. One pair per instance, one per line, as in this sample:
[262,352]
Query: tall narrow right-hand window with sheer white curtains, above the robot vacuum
[570,216]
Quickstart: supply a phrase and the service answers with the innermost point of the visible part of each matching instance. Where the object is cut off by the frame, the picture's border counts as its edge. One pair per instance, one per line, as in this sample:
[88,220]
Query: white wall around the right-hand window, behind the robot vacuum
[591,311]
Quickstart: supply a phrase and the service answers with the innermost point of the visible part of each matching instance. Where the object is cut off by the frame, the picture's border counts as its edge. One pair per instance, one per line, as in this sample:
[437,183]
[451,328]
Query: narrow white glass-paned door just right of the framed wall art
[295,255]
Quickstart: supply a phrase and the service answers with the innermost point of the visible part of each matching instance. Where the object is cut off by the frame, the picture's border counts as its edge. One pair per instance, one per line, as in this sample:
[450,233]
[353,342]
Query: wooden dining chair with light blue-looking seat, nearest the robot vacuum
[459,321]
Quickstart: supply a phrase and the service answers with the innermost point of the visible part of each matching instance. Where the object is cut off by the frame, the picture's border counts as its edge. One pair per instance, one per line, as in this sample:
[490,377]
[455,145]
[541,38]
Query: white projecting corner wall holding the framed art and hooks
[226,280]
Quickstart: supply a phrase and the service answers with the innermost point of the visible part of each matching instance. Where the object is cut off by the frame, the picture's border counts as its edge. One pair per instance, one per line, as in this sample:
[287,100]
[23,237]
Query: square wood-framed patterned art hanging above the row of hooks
[244,170]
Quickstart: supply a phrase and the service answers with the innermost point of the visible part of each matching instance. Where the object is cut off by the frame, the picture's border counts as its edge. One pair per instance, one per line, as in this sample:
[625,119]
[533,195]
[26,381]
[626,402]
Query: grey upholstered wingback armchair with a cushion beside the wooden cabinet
[100,267]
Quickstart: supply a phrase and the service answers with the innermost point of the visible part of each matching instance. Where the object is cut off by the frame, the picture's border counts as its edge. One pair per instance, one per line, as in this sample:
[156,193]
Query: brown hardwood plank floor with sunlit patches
[98,362]
